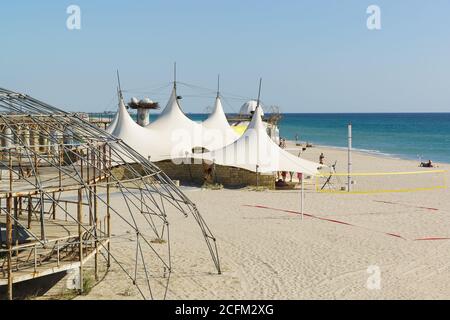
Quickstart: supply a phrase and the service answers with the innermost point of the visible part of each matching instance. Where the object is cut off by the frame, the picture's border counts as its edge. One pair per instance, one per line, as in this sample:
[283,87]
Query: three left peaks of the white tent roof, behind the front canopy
[172,135]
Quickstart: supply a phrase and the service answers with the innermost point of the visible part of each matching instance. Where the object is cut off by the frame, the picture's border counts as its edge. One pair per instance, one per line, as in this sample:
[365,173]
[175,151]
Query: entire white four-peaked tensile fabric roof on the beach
[173,135]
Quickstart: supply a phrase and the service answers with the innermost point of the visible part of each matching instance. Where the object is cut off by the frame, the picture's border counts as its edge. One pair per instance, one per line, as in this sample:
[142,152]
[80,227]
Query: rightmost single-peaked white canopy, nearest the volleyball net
[255,148]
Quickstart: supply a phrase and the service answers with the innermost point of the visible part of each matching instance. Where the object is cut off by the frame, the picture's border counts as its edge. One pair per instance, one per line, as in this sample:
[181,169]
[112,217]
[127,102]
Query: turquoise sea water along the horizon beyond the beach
[416,136]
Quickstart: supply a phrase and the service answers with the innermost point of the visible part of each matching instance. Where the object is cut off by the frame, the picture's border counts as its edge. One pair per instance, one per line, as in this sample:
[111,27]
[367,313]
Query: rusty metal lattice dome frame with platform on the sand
[57,169]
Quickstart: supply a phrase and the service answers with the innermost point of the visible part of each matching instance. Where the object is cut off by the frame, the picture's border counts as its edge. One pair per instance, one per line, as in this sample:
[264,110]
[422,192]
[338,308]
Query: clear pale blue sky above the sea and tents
[314,56]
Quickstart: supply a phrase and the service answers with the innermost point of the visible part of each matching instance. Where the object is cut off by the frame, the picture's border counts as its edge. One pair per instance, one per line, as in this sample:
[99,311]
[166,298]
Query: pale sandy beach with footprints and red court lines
[273,254]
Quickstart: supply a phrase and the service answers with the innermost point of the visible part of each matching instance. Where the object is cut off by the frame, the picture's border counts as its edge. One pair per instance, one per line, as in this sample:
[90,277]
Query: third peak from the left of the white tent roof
[217,132]
